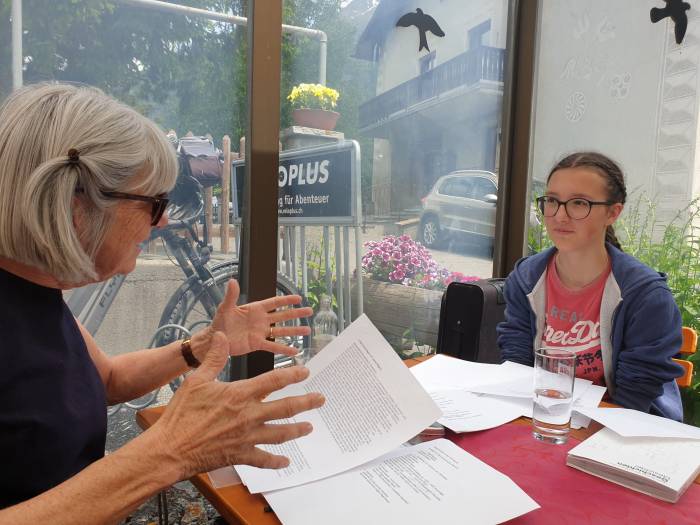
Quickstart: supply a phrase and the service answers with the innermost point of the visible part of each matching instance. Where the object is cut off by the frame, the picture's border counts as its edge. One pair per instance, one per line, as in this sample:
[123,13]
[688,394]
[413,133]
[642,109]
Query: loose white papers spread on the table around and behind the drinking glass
[478,396]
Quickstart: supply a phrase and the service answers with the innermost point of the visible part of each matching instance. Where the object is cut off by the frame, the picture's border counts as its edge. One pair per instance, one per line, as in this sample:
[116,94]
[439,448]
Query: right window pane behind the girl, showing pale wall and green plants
[610,80]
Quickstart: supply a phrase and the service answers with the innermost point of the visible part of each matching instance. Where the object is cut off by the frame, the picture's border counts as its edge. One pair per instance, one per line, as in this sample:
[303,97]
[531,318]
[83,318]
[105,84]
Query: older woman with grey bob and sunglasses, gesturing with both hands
[83,180]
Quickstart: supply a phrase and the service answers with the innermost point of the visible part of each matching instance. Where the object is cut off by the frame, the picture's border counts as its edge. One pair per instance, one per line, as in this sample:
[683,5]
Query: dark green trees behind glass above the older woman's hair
[167,65]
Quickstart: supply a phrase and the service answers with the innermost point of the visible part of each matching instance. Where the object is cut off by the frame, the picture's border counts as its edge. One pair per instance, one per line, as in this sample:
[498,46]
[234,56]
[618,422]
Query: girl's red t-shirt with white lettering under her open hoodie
[572,321]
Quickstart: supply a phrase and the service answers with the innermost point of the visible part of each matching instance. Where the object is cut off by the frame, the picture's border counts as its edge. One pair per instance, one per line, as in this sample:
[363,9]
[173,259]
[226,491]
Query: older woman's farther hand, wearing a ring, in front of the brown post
[249,326]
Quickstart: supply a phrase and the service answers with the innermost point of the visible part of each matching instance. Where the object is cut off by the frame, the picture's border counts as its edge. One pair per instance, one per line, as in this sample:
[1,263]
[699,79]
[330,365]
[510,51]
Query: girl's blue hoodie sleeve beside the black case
[515,332]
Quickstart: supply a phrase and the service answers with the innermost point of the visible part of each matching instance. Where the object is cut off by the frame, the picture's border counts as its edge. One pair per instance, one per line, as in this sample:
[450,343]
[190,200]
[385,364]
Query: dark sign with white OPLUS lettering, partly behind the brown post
[315,183]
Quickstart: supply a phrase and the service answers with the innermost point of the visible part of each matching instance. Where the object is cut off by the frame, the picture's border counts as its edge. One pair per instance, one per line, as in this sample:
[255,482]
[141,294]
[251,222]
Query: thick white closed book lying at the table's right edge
[660,467]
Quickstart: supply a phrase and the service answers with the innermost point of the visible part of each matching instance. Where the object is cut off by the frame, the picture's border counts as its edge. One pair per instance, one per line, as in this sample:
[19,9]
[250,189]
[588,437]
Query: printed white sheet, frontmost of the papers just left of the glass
[464,411]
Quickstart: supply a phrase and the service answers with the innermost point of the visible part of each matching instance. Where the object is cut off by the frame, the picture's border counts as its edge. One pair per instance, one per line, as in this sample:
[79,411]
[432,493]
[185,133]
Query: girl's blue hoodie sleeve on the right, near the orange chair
[651,337]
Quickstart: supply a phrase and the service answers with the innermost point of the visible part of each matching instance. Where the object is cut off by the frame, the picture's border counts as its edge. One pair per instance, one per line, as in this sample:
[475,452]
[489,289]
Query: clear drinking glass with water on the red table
[555,370]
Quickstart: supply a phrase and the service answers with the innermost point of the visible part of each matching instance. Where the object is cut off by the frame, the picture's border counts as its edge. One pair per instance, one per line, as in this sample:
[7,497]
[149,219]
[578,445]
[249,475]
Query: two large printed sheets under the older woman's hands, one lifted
[353,468]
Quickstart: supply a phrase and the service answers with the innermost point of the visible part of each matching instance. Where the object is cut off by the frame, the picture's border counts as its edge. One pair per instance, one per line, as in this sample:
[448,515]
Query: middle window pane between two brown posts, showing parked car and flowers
[419,106]
